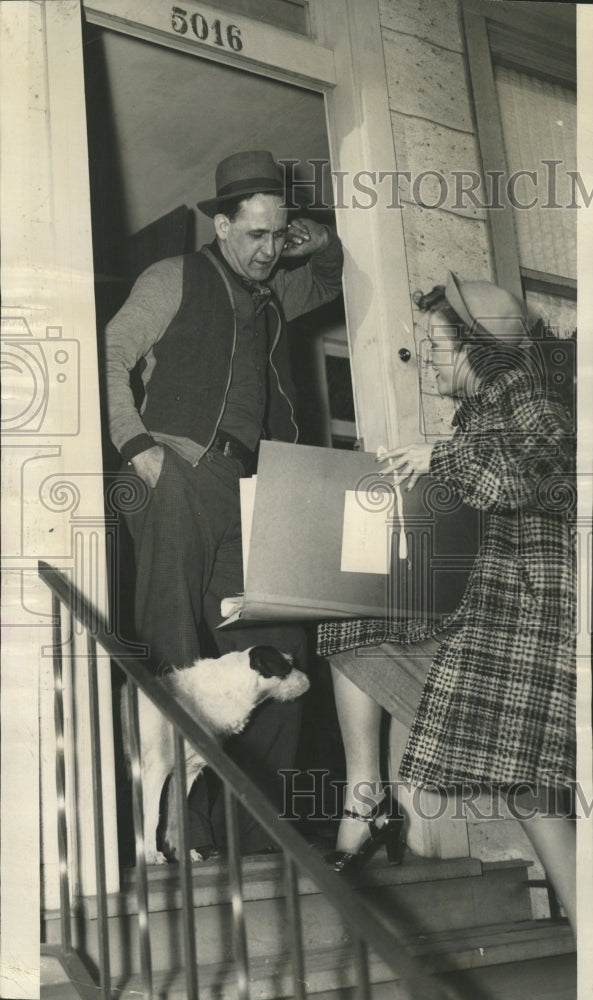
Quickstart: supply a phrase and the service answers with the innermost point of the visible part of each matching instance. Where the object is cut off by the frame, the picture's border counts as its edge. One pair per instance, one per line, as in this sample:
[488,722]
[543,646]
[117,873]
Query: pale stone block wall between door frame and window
[433,130]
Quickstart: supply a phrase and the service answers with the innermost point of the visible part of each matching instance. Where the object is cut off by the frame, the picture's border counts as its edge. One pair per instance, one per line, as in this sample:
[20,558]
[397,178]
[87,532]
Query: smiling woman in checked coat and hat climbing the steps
[497,705]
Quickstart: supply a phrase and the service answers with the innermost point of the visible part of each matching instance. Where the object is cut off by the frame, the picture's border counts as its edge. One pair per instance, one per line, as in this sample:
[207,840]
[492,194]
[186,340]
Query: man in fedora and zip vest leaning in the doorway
[209,330]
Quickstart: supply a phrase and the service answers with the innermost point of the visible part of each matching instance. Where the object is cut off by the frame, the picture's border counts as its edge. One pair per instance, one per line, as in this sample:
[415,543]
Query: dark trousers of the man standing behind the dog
[187,545]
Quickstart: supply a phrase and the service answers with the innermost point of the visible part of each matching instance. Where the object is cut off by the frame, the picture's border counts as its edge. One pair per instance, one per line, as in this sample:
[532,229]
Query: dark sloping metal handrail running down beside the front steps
[368,927]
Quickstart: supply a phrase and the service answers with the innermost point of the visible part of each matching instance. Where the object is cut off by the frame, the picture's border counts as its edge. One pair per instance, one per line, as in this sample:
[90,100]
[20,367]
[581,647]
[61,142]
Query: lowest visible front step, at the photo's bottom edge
[469,960]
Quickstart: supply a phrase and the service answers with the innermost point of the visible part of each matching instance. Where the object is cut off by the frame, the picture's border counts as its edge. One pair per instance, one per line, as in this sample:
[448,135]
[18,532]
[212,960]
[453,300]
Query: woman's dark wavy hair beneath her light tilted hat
[488,357]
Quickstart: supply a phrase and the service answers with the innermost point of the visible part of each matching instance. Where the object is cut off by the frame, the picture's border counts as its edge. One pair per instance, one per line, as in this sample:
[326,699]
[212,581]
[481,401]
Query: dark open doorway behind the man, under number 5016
[159,121]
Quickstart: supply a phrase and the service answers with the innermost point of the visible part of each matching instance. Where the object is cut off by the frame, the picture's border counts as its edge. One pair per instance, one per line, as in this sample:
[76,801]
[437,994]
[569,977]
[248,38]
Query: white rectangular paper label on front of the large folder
[365,536]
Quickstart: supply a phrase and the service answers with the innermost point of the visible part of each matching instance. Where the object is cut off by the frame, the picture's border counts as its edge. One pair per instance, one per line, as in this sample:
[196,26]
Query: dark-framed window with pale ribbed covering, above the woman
[523,69]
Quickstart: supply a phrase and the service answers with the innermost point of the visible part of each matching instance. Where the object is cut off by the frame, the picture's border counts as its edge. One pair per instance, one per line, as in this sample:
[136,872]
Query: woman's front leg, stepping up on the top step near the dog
[360,720]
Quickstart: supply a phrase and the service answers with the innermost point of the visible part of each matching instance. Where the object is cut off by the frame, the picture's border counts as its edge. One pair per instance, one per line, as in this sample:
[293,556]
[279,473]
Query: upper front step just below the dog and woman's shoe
[431,895]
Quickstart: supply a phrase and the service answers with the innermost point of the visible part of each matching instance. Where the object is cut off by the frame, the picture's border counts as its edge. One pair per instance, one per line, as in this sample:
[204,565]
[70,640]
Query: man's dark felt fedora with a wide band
[253,172]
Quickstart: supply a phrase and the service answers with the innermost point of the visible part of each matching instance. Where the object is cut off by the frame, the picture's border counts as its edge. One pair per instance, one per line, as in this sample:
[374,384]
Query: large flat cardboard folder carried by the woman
[320,519]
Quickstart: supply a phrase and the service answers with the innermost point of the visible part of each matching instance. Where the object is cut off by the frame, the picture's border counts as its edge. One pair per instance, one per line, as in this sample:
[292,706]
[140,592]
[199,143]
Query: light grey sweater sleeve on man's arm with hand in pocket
[130,336]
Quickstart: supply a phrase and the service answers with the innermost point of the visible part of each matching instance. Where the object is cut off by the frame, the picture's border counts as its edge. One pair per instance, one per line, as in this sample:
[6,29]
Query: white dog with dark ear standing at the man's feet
[221,695]
